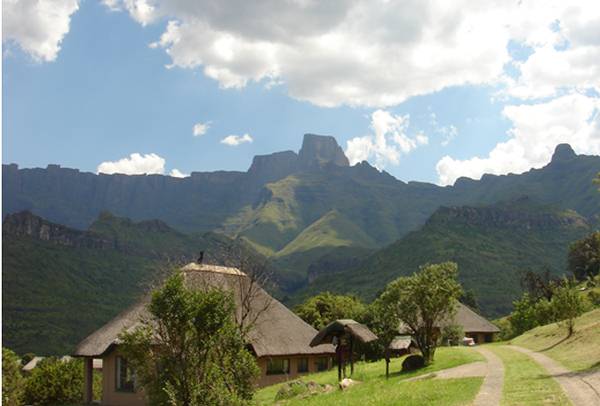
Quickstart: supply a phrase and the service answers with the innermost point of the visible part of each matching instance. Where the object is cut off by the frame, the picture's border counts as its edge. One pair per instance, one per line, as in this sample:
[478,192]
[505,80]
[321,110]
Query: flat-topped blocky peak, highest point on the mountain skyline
[319,150]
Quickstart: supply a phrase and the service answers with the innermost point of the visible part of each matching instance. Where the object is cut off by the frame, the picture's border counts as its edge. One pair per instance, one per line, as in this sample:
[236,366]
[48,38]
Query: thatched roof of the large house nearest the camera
[276,331]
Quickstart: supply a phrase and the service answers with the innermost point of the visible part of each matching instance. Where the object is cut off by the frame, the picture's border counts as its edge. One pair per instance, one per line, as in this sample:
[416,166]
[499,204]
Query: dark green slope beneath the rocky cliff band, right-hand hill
[489,260]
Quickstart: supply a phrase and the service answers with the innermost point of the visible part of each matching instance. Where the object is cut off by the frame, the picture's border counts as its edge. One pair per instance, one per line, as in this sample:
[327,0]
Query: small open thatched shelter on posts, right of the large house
[342,334]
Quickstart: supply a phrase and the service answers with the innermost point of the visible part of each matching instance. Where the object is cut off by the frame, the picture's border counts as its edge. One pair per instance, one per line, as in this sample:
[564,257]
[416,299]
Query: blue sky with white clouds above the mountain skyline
[425,90]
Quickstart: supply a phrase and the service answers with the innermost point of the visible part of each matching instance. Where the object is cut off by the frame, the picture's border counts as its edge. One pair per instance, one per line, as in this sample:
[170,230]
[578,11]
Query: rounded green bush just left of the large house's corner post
[55,381]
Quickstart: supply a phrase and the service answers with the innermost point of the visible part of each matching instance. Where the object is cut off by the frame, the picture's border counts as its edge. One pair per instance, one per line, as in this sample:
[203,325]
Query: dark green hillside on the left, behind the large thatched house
[58,289]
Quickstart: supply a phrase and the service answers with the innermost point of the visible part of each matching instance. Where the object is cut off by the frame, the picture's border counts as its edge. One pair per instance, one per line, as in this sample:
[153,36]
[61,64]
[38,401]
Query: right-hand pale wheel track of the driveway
[582,389]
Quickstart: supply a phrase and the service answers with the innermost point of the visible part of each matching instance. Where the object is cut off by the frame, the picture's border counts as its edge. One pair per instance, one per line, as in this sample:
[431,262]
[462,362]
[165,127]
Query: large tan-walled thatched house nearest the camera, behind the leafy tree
[279,339]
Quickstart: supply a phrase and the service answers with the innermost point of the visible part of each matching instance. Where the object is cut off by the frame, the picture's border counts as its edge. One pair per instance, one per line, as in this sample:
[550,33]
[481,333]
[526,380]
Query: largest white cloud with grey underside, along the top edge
[354,52]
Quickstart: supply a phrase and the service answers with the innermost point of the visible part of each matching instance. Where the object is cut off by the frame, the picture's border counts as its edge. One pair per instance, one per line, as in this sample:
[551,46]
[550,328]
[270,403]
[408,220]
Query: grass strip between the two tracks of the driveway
[526,382]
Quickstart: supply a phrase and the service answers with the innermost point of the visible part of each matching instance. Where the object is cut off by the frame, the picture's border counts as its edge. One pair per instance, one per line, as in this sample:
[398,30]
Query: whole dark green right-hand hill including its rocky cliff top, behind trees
[491,245]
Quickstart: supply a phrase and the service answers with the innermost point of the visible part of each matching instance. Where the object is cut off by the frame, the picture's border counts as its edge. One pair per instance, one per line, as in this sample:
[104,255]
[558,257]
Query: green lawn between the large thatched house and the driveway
[375,389]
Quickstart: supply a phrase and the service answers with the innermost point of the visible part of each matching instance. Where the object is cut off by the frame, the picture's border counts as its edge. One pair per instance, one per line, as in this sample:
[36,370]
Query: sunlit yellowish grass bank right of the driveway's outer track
[579,352]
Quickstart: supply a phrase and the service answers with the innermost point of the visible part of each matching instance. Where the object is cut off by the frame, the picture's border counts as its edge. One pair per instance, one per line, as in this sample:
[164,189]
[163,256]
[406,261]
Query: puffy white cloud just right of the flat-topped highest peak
[388,141]
